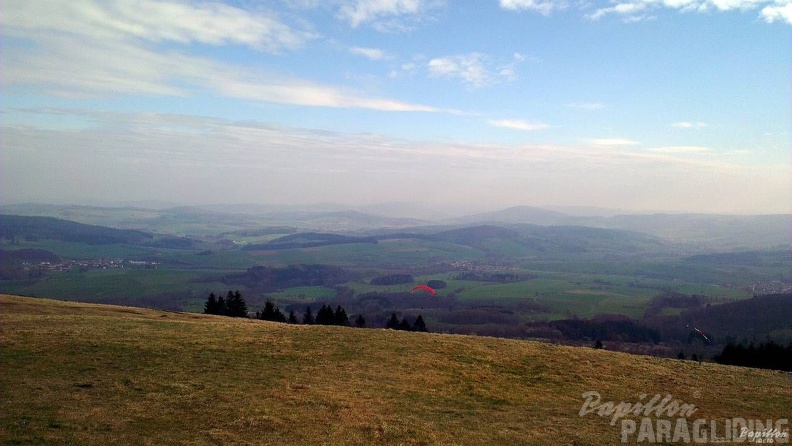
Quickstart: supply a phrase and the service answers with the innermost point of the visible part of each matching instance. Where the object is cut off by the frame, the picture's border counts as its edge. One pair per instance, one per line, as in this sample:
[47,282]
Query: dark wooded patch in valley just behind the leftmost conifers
[269,279]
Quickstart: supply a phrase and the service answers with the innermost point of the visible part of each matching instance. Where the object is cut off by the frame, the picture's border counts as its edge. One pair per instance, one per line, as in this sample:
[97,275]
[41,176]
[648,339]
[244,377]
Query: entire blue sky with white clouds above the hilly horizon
[646,105]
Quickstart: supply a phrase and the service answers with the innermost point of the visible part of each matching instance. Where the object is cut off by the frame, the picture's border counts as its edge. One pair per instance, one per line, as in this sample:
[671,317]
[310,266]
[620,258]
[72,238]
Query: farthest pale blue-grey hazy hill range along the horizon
[700,232]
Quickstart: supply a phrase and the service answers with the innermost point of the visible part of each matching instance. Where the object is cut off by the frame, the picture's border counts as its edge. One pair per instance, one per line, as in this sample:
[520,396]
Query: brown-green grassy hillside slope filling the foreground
[94,374]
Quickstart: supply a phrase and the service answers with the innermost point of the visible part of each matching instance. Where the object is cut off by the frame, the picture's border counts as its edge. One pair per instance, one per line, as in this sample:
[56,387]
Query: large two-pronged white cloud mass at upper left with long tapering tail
[82,49]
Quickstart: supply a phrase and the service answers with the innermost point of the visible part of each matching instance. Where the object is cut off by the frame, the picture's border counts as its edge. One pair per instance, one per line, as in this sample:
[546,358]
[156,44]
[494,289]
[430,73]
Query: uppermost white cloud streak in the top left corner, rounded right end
[155,21]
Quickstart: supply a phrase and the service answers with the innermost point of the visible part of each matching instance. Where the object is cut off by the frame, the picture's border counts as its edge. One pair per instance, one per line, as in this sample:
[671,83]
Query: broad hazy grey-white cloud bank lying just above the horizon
[174,157]
